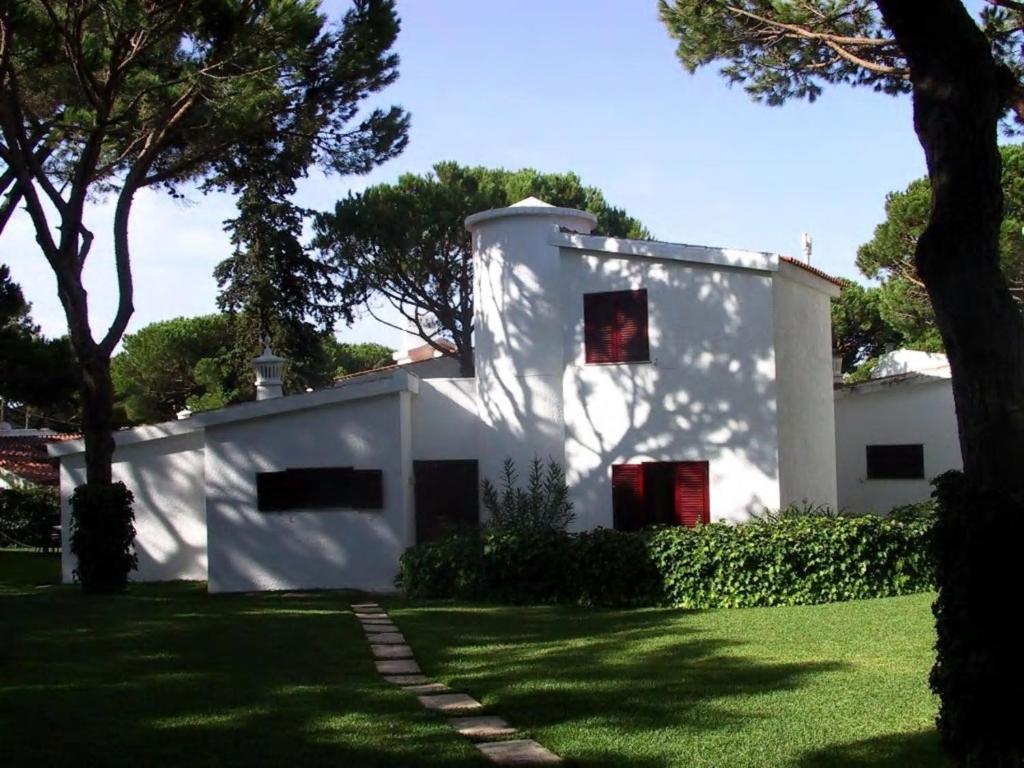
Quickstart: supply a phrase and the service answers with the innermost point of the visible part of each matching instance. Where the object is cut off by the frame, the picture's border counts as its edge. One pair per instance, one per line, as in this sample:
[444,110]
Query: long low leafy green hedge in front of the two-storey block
[789,562]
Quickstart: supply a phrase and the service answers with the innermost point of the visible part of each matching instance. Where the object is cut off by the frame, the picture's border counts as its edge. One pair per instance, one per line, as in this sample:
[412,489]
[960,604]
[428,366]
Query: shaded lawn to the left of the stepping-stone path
[168,675]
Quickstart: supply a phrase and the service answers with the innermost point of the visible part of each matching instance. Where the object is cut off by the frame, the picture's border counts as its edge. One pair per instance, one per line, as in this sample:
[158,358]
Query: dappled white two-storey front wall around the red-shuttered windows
[707,395]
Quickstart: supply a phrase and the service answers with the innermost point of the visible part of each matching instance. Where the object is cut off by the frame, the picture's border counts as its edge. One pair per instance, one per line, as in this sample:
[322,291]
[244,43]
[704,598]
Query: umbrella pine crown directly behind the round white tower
[406,244]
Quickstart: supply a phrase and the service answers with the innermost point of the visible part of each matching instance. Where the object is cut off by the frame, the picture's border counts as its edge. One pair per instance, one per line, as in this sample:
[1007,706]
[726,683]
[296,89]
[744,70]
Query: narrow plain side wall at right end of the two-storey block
[804,376]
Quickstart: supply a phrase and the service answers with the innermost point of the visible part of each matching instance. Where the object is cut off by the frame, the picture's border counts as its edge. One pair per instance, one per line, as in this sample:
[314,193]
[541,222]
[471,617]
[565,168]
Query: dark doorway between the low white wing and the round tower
[447,497]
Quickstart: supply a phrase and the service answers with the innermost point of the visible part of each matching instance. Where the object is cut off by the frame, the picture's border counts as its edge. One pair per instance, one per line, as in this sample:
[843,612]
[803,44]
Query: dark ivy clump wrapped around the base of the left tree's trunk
[103,531]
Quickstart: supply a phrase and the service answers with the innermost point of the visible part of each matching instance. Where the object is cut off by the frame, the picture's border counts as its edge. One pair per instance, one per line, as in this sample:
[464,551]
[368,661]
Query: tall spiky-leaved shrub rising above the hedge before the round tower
[543,504]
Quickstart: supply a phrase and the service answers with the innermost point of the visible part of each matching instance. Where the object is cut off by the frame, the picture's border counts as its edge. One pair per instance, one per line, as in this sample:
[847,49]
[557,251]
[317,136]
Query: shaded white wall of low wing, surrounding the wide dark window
[345,548]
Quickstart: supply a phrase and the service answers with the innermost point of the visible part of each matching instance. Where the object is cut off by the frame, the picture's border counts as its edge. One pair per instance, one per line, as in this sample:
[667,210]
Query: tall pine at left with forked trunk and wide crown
[112,97]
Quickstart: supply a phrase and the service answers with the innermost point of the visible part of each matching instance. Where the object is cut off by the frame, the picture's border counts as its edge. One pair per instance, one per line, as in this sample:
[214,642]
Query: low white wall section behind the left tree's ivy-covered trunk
[166,479]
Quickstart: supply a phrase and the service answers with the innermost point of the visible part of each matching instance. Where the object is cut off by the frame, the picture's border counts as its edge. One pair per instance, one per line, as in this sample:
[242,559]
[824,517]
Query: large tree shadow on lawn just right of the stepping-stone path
[624,672]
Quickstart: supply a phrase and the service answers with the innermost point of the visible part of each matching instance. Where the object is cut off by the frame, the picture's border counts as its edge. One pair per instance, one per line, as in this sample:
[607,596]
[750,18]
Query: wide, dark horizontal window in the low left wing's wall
[320,488]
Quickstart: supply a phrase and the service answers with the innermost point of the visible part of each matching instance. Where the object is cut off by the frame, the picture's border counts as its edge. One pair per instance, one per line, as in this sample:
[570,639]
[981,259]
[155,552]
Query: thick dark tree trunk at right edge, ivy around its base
[960,95]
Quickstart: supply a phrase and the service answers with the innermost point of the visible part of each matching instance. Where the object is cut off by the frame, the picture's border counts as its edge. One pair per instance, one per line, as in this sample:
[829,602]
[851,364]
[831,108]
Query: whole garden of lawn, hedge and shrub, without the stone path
[800,639]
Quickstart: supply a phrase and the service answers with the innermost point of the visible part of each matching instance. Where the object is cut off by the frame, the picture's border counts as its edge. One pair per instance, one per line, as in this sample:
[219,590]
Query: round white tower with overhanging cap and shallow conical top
[519,331]
